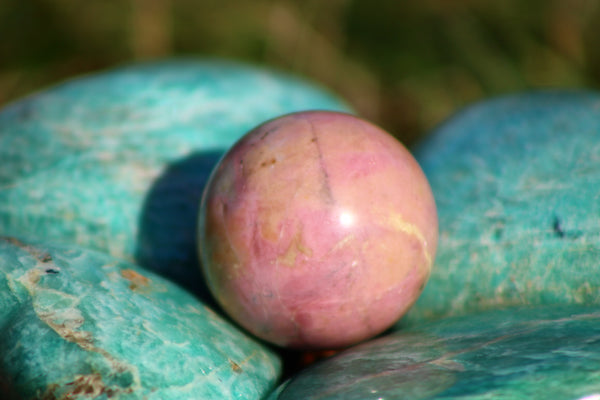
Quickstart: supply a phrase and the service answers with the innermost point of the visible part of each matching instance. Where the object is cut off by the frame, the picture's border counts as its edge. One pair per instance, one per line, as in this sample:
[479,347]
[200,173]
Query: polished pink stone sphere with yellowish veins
[317,230]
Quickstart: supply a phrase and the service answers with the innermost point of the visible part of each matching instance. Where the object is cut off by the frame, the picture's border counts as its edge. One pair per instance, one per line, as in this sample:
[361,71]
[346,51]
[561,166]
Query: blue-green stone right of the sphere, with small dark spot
[516,182]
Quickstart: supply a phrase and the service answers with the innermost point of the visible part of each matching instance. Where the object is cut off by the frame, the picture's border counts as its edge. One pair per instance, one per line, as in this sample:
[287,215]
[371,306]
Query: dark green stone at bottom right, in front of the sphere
[550,352]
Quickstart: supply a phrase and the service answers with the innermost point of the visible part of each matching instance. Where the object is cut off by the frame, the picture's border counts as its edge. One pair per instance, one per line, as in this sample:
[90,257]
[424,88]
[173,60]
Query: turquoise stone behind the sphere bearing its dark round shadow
[117,161]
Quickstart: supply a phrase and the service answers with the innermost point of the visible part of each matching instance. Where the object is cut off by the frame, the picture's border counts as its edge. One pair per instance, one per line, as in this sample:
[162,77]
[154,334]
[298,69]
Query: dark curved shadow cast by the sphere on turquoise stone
[166,241]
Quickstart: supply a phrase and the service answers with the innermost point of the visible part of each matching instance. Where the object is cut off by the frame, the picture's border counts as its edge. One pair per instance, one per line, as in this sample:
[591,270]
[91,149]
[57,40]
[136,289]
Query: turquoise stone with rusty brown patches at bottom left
[79,324]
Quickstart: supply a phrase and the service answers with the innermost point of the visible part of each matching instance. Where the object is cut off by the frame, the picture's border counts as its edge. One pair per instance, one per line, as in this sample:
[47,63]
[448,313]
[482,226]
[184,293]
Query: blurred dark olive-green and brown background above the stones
[405,65]
